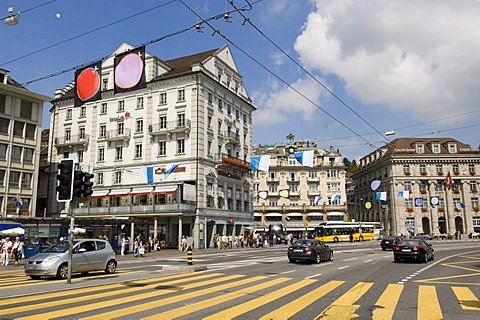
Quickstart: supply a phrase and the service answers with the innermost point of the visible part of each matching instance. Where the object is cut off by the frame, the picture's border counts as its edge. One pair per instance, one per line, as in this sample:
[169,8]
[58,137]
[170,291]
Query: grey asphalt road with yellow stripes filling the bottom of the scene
[362,281]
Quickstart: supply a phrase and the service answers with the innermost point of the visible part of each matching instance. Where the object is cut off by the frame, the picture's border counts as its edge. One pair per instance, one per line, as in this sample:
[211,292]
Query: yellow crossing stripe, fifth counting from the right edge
[304,301]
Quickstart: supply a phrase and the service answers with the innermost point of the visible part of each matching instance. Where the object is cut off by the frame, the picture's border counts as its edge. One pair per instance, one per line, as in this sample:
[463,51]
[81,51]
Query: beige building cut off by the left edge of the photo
[20,134]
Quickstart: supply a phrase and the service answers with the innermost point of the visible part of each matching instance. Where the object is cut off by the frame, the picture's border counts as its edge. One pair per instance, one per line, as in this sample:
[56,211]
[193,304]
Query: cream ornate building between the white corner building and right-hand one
[297,196]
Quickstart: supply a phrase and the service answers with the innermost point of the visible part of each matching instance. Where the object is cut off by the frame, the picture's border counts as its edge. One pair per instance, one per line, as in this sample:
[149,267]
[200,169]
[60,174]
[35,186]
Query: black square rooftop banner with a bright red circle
[88,84]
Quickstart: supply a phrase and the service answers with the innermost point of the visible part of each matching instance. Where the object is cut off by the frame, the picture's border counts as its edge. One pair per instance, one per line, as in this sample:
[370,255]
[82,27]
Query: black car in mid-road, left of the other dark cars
[309,250]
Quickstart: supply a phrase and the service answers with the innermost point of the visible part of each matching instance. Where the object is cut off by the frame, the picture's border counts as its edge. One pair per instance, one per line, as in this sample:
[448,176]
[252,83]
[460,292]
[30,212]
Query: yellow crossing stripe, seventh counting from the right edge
[185,310]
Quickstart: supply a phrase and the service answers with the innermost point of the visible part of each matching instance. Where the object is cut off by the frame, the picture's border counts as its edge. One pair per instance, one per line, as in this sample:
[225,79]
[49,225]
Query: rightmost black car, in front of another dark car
[417,249]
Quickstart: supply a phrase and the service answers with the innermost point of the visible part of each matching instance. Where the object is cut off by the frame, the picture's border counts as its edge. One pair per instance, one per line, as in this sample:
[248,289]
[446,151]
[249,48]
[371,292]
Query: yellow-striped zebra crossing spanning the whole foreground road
[214,295]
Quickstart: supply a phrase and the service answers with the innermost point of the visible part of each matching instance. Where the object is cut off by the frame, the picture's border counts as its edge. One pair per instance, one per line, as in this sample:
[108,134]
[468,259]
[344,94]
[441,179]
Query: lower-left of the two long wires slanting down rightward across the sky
[216,31]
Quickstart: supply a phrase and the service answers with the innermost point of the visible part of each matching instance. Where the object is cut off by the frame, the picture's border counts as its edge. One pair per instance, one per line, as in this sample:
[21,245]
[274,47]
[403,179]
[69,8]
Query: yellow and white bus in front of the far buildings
[335,231]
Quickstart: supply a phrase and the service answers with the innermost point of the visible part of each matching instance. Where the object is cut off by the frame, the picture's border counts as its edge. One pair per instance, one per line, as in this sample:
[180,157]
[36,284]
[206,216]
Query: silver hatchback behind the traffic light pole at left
[88,255]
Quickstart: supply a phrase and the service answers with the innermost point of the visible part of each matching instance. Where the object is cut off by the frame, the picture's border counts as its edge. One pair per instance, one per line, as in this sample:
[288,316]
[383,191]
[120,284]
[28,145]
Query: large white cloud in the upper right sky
[418,57]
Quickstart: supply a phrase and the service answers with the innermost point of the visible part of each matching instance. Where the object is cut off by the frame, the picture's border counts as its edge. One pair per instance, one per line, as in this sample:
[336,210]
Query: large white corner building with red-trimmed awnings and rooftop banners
[194,116]
